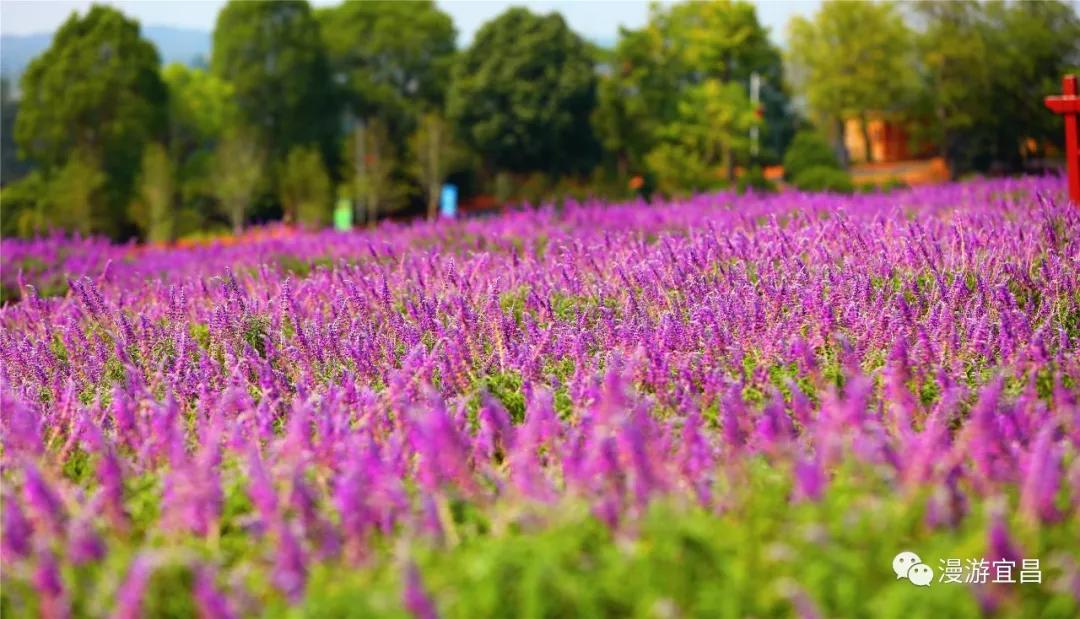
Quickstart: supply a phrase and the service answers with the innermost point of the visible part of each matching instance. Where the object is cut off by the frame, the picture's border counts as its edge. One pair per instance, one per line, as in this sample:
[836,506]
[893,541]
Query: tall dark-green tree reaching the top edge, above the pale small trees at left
[273,56]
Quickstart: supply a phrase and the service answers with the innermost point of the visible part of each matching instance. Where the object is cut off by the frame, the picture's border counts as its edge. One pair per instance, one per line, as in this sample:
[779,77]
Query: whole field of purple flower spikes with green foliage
[723,407]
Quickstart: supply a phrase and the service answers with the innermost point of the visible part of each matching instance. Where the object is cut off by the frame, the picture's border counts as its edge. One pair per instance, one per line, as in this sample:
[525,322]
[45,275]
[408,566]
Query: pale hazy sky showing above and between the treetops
[595,19]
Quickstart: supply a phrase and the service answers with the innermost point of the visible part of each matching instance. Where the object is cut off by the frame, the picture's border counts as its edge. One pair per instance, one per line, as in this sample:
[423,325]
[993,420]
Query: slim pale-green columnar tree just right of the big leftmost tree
[156,192]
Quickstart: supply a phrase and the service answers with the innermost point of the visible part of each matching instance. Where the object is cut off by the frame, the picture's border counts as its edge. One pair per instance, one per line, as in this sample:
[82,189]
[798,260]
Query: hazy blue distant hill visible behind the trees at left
[175,46]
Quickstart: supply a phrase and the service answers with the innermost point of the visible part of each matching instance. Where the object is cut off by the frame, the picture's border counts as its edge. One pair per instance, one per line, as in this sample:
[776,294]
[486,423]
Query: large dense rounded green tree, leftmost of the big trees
[97,92]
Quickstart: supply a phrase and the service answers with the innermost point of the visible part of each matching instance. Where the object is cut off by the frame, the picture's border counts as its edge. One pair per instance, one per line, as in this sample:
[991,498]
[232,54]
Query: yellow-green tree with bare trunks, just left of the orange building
[852,59]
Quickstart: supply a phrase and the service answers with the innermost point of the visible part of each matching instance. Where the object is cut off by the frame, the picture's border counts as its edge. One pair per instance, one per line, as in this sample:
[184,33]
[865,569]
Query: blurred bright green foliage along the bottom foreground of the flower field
[767,556]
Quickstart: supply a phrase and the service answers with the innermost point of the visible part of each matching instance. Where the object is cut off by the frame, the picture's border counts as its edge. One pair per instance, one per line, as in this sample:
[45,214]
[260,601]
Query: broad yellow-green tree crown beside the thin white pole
[687,72]
